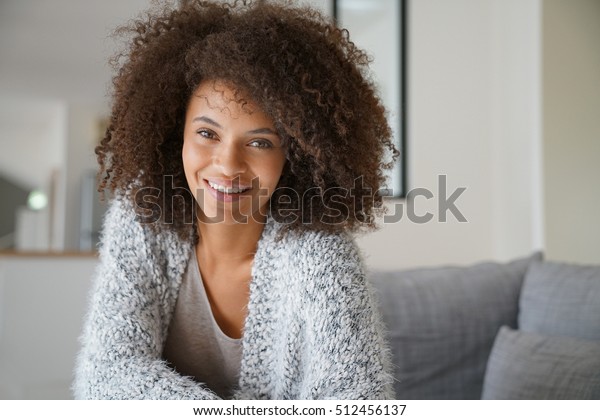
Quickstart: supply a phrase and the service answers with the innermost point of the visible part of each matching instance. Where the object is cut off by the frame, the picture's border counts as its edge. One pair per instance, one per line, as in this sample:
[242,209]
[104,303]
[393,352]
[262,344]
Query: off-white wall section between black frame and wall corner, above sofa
[473,115]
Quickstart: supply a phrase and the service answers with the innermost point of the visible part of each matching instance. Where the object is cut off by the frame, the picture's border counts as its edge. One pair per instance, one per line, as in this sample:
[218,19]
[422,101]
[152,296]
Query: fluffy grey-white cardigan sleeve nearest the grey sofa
[350,359]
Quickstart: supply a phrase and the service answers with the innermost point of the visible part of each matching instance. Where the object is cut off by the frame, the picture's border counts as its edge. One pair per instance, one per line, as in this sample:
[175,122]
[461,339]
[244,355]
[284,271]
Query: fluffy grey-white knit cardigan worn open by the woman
[312,330]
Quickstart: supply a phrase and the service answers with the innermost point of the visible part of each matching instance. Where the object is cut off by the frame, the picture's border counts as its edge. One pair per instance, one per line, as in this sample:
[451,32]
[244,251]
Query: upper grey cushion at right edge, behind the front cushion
[561,299]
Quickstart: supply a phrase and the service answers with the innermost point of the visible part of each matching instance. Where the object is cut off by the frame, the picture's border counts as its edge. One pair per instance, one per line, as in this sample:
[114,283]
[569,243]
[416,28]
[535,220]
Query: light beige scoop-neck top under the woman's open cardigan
[196,346]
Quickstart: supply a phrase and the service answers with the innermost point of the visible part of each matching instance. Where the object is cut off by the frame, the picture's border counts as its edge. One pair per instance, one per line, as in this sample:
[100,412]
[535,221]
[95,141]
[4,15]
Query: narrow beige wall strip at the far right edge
[571,37]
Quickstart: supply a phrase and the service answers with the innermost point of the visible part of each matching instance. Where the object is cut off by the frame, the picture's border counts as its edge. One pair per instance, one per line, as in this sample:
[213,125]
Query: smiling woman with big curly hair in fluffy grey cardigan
[245,144]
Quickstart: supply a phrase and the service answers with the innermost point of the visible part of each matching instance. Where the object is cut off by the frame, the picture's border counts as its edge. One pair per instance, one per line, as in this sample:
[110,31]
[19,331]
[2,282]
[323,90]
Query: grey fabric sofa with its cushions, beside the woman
[527,329]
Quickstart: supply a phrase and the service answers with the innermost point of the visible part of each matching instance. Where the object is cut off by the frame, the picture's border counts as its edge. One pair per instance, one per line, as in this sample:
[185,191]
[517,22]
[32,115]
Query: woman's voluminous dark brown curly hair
[303,72]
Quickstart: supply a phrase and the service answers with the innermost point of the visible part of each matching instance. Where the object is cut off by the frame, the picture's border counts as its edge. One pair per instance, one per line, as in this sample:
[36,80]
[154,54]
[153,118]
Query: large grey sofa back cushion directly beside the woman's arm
[442,323]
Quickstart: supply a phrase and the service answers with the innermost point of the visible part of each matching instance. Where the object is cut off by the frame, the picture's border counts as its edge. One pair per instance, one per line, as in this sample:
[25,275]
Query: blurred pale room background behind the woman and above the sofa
[501,98]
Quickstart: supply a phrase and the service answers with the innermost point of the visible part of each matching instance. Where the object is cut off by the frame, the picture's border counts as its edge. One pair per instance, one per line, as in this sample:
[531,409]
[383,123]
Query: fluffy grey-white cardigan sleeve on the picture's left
[121,343]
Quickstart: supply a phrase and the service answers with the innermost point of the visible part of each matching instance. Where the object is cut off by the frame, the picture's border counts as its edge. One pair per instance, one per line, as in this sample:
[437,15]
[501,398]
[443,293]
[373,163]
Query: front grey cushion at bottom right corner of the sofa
[525,365]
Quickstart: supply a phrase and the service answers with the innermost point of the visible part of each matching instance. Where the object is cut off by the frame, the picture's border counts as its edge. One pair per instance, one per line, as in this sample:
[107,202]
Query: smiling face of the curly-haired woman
[232,155]
